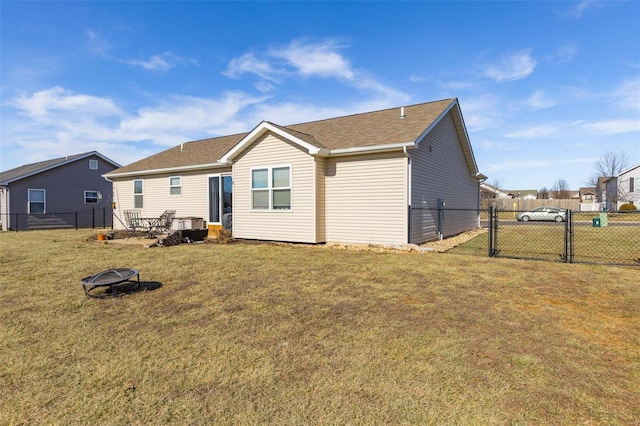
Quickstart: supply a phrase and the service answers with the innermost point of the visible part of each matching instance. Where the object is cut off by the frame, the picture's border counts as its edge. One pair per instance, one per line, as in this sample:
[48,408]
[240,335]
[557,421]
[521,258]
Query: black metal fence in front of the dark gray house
[96,217]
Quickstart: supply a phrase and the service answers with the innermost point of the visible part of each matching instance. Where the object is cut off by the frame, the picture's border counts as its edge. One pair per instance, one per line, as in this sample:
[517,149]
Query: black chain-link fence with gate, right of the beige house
[580,237]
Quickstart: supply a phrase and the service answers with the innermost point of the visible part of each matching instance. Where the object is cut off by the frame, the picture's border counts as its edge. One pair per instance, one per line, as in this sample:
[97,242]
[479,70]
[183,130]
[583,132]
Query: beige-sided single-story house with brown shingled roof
[365,178]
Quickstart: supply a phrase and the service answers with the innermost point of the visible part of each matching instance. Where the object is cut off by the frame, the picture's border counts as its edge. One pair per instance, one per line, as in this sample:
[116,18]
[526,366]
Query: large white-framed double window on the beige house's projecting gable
[271,188]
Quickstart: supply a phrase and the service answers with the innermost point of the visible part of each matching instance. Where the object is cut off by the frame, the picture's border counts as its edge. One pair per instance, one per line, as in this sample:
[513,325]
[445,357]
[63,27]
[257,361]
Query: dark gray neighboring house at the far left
[58,193]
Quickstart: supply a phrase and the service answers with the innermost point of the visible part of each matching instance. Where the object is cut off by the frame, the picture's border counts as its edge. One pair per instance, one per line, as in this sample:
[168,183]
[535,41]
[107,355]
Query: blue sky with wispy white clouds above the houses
[546,88]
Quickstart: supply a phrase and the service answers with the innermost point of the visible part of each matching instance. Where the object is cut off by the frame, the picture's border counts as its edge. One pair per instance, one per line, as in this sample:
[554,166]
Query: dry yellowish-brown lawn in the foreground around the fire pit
[286,334]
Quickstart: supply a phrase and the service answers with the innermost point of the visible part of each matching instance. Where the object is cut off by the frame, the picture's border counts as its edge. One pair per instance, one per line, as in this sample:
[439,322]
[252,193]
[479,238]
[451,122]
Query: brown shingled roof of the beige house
[353,131]
